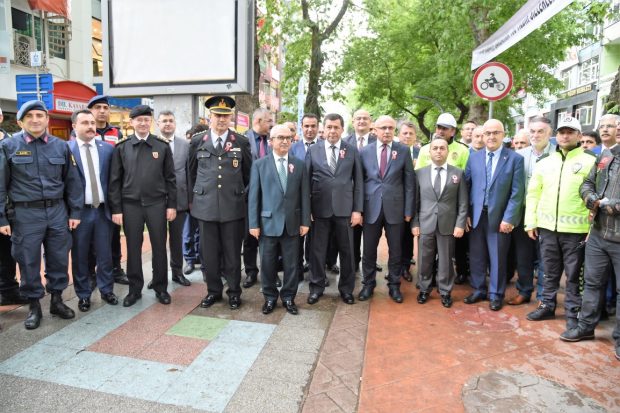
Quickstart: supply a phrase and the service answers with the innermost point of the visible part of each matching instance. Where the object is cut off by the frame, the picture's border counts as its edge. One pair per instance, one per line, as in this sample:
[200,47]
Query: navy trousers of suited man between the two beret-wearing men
[94,235]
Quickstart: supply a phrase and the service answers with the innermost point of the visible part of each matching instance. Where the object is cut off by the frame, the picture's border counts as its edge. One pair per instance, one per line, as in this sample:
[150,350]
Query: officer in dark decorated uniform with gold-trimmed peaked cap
[220,161]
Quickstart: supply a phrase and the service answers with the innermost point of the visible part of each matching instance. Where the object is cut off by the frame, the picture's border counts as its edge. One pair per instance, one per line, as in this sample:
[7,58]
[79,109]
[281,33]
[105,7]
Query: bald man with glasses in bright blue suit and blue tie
[495,178]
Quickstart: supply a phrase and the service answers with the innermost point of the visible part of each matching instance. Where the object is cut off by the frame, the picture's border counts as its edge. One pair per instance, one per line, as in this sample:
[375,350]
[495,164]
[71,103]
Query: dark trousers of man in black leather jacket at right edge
[599,254]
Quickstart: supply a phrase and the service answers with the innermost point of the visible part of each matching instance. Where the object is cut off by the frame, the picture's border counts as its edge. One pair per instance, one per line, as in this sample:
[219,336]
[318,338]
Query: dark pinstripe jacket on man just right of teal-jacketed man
[336,194]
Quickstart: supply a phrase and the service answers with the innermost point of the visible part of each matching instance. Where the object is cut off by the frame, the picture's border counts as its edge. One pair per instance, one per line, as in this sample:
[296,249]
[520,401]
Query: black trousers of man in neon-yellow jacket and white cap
[562,253]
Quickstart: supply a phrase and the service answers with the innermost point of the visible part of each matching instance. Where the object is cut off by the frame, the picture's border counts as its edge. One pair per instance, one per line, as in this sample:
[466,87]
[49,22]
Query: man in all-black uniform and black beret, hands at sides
[142,189]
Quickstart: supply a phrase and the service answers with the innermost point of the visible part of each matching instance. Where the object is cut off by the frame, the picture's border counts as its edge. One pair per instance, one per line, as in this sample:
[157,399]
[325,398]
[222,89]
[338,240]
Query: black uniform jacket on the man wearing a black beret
[142,171]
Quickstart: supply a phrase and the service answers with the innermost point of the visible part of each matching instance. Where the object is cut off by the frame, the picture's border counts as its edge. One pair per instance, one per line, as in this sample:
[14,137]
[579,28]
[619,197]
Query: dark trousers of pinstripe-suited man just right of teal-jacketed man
[322,230]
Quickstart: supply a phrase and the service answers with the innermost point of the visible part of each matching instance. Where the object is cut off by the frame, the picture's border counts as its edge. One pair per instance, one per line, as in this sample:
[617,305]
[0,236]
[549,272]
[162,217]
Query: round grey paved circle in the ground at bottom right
[508,391]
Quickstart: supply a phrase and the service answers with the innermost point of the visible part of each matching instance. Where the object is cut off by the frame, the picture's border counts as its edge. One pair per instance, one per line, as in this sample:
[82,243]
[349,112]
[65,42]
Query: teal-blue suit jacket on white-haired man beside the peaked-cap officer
[269,207]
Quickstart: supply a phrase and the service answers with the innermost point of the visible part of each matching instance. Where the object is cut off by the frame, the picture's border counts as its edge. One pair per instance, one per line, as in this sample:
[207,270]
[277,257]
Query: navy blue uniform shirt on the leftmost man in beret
[39,170]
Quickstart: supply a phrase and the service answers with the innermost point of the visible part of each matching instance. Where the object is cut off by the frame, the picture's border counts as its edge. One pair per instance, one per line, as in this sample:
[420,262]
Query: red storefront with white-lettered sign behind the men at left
[69,96]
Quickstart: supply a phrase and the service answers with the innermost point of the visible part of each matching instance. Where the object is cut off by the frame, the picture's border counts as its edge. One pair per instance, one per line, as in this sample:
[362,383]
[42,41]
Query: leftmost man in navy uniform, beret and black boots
[40,179]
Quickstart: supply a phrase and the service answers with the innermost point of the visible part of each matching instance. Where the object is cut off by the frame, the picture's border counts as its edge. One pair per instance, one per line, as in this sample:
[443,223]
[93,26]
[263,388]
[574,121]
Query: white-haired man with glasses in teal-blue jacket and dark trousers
[278,213]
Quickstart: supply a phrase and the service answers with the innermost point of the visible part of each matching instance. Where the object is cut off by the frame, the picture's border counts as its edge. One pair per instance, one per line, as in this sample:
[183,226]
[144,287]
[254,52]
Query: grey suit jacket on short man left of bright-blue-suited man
[443,213]
